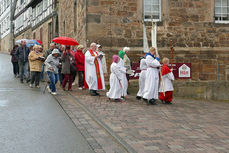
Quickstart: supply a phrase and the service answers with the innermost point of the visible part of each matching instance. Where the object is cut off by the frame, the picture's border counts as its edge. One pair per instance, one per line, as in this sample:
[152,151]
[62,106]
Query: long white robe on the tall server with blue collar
[152,78]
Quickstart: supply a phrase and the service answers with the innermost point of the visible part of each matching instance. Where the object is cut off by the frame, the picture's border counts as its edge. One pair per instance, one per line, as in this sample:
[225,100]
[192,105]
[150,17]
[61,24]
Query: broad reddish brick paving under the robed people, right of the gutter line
[186,126]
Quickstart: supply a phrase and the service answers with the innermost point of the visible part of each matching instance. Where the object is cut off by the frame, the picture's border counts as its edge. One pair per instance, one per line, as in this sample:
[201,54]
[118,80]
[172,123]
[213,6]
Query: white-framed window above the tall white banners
[152,10]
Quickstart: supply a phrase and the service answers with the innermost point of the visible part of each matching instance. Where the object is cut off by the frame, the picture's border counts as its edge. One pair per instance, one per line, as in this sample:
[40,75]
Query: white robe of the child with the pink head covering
[116,90]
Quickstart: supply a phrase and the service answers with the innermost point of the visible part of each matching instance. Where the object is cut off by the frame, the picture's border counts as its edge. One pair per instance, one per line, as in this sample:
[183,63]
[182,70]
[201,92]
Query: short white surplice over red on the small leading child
[167,80]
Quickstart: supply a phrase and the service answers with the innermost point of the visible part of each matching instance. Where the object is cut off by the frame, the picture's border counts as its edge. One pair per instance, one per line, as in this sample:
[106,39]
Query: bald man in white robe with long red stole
[94,77]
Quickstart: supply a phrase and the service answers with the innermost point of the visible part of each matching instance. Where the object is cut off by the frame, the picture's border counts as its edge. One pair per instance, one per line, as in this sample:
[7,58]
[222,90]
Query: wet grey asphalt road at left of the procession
[33,122]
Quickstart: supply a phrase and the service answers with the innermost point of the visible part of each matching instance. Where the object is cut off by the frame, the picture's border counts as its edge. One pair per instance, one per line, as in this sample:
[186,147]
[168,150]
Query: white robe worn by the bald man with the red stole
[90,71]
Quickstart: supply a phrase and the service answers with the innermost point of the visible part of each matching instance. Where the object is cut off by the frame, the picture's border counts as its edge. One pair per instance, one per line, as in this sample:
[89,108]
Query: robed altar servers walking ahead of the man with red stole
[151,74]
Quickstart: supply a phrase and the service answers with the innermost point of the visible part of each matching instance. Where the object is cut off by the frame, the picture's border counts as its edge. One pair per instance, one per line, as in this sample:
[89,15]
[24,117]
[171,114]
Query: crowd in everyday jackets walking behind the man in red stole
[60,63]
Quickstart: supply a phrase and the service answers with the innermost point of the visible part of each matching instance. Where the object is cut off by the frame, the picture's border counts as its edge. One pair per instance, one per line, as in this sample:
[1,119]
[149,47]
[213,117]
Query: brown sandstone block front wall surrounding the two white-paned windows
[189,23]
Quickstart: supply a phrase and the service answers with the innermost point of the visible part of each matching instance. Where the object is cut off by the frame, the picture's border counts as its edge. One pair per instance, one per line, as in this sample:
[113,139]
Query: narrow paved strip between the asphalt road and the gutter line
[98,139]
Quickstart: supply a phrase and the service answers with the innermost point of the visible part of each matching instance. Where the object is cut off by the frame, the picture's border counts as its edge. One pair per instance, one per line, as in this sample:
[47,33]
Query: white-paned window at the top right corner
[222,11]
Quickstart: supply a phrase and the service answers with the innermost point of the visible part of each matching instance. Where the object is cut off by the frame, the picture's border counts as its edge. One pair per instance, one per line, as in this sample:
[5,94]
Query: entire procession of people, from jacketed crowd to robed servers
[63,63]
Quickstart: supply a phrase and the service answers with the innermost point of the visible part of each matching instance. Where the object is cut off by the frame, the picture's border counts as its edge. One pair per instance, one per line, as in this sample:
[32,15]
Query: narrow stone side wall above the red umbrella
[72,19]
